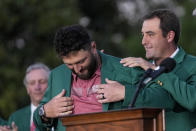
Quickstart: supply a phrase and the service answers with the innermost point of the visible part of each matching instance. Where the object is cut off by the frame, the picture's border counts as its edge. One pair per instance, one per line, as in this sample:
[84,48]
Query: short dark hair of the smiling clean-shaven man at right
[168,22]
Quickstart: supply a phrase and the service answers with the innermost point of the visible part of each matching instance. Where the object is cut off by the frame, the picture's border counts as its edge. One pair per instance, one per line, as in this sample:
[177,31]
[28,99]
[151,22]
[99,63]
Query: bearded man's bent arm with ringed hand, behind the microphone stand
[150,96]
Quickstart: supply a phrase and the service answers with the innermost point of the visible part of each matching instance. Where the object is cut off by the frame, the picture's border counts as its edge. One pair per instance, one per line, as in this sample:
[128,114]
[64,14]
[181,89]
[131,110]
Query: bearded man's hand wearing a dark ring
[112,91]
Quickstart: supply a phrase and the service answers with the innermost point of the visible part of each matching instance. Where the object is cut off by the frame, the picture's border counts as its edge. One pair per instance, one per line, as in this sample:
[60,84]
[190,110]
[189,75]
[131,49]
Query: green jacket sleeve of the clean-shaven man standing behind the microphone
[183,91]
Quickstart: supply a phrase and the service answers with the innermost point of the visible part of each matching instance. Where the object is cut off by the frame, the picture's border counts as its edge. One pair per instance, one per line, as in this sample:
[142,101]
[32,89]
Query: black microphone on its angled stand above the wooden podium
[166,66]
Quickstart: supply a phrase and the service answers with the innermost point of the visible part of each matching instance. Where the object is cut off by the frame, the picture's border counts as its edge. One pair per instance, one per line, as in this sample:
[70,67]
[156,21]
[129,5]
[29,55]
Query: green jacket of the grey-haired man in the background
[21,118]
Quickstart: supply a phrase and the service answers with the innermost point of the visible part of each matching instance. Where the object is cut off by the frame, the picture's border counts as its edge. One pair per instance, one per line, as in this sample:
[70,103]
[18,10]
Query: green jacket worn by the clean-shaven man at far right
[181,84]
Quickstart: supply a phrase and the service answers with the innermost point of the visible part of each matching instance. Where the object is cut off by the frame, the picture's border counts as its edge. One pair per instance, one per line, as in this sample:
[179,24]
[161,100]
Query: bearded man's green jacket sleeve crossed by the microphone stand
[150,96]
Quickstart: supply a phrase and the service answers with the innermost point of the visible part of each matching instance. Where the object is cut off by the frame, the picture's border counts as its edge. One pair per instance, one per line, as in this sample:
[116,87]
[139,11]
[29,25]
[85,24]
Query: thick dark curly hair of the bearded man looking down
[71,38]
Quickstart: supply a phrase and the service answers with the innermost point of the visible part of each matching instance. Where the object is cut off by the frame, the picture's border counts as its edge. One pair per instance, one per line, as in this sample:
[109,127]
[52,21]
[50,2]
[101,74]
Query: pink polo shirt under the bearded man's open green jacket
[84,97]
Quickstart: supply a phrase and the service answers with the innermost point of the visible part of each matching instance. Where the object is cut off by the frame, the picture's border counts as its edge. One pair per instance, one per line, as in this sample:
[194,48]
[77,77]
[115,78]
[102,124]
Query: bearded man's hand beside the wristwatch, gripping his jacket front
[59,106]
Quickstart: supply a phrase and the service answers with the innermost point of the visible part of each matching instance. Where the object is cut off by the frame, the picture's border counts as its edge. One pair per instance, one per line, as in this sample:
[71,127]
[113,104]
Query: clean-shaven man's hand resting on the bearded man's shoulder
[135,62]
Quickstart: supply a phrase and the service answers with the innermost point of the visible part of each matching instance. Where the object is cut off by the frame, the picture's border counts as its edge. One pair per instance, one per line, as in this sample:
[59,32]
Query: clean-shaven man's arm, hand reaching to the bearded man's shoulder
[182,87]
